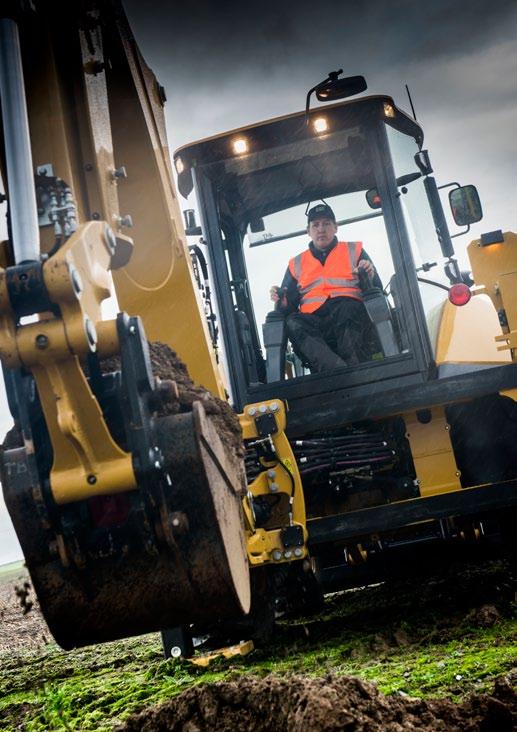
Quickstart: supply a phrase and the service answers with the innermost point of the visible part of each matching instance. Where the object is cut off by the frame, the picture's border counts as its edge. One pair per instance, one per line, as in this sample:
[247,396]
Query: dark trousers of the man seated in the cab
[331,337]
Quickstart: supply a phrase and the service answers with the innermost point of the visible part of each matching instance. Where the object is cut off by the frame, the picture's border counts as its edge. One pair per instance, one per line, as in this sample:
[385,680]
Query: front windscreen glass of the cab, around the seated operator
[262,192]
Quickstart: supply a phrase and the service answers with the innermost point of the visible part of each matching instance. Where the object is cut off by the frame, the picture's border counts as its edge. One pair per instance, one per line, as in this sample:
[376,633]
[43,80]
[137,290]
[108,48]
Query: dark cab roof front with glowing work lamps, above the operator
[274,166]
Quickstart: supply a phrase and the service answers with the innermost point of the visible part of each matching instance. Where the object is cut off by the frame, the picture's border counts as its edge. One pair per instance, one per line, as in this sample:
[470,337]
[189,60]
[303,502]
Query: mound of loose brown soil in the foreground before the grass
[293,704]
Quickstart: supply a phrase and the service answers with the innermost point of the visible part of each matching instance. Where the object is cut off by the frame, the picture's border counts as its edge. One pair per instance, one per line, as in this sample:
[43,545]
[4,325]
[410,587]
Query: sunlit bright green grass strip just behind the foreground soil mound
[95,688]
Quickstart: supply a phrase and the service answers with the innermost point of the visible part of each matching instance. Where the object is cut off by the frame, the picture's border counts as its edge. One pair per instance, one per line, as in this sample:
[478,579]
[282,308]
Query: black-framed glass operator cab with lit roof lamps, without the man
[253,187]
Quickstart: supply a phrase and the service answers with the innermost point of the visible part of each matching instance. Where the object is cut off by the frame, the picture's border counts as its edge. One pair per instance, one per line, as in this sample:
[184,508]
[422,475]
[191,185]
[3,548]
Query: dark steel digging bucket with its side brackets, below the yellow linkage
[169,553]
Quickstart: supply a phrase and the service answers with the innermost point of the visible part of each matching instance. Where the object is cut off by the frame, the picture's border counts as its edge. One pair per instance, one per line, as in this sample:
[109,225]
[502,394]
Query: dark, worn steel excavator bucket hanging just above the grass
[200,574]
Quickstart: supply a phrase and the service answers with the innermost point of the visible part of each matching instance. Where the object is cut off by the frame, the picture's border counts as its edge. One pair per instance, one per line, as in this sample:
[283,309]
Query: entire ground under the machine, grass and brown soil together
[418,638]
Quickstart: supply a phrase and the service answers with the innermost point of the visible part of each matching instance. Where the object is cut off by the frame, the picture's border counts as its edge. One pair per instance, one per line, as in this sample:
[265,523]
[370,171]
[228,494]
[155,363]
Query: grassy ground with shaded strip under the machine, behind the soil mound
[445,636]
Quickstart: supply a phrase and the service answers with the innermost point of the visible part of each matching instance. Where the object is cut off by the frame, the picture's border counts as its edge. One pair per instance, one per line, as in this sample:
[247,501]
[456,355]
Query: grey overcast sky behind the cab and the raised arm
[226,64]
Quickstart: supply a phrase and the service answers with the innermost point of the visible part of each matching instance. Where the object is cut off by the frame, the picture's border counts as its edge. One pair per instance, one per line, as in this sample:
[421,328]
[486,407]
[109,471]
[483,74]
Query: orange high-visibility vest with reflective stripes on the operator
[317,282]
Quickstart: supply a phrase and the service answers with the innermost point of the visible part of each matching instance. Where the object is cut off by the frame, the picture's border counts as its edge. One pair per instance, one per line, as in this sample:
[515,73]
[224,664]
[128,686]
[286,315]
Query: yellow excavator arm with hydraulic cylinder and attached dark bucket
[128,509]
